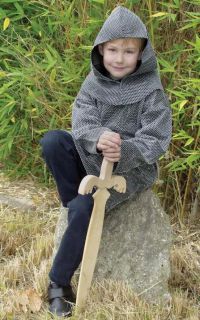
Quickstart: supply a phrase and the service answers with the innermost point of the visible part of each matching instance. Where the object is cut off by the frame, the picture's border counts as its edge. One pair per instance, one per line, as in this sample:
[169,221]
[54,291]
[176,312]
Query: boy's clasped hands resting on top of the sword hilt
[110,145]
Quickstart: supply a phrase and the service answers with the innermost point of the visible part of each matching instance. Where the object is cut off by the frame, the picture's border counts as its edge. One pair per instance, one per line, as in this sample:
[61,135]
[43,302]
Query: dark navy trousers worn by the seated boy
[62,159]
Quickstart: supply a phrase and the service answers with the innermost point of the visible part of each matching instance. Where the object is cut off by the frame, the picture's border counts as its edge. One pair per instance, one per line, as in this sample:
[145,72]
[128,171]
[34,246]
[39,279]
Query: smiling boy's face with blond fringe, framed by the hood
[120,56]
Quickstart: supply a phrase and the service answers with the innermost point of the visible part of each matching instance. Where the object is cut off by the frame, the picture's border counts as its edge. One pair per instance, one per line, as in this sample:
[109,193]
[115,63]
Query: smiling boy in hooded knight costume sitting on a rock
[120,113]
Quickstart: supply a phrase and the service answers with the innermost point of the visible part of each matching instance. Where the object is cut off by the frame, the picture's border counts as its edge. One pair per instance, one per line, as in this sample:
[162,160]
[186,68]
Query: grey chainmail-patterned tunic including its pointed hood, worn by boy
[135,107]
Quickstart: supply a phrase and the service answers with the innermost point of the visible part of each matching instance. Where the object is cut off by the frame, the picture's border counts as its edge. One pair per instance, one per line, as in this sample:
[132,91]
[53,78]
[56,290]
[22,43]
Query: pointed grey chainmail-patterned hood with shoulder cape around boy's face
[122,23]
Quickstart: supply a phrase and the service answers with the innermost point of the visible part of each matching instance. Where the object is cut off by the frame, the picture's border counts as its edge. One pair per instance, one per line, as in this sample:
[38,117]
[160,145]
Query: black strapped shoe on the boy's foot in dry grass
[61,300]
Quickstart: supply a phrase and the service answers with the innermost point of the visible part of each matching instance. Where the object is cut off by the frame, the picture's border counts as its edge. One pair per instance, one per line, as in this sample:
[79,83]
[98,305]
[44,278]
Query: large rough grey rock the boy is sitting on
[135,246]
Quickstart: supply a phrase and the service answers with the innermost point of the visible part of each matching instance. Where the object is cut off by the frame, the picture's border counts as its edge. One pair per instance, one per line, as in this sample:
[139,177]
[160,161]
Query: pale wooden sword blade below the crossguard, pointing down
[91,247]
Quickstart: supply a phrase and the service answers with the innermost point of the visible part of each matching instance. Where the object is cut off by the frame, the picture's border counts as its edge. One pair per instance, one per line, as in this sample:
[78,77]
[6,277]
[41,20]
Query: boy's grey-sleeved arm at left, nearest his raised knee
[86,123]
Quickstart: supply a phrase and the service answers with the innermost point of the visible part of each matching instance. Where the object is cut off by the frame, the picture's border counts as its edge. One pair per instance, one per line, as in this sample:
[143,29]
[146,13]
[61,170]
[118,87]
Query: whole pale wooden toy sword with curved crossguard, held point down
[104,182]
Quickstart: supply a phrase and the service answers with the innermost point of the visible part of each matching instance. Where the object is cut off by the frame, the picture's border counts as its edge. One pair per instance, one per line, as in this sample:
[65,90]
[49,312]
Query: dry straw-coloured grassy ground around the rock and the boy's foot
[28,215]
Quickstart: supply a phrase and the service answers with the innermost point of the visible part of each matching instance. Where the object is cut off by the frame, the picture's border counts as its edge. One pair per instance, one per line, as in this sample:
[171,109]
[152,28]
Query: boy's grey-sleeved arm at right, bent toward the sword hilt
[152,139]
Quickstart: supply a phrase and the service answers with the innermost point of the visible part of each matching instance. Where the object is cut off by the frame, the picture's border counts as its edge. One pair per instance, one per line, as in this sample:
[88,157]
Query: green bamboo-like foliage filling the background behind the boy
[45,55]
